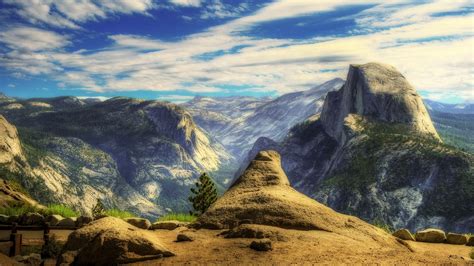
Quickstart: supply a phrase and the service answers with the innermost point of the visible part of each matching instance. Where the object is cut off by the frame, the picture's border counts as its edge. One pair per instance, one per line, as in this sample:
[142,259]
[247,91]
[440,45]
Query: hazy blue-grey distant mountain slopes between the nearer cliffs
[237,122]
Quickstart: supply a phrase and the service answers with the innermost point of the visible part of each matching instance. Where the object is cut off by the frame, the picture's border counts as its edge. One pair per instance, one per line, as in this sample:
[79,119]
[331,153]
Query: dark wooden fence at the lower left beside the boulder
[16,238]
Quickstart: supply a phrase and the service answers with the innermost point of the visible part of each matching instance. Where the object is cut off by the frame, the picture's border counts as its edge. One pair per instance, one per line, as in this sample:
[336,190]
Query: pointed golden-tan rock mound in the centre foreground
[262,195]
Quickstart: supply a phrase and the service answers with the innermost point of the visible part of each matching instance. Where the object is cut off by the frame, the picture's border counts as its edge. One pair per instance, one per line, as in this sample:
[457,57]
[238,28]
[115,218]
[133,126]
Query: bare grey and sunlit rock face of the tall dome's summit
[377,92]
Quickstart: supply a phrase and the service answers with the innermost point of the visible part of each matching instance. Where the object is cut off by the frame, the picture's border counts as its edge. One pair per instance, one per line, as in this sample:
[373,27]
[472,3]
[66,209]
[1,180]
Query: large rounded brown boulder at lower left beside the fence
[111,241]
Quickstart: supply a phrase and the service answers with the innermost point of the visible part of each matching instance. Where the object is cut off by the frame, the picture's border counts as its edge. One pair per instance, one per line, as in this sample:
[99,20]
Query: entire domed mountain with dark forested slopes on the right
[373,152]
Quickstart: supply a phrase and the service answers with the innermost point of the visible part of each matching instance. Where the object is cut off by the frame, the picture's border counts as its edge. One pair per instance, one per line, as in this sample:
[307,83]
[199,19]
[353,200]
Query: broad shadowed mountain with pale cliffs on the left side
[146,153]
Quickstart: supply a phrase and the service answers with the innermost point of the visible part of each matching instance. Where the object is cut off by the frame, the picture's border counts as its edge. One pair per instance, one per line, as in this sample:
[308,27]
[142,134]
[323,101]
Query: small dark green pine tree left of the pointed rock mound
[204,194]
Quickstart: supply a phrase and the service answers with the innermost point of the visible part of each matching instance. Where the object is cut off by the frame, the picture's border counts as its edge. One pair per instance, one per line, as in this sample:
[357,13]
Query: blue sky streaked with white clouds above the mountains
[176,49]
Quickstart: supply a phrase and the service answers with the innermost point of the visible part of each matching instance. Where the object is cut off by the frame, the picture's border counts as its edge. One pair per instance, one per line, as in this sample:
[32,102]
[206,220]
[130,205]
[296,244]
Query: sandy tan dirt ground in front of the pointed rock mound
[302,247]
